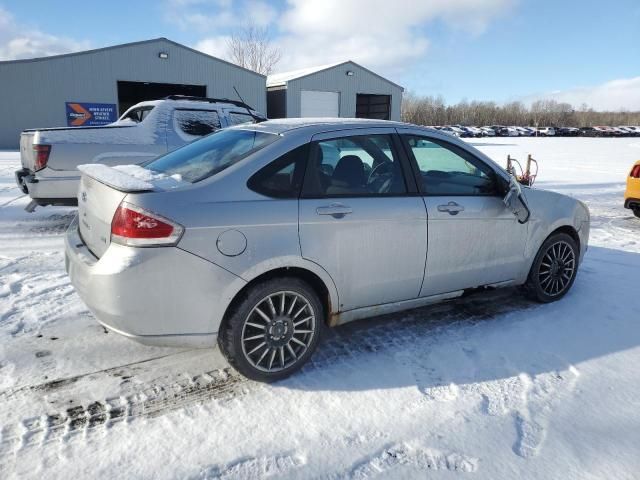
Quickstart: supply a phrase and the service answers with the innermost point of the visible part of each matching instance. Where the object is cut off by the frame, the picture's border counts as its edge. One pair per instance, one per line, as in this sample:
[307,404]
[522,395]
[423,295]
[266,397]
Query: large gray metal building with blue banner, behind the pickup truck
[34,92]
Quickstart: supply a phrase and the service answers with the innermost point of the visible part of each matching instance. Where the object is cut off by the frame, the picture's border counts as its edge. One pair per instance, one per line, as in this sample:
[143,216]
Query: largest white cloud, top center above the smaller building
[388,36]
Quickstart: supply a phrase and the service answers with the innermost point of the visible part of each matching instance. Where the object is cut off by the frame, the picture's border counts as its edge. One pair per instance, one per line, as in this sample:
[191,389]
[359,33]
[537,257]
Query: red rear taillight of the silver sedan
[137,227]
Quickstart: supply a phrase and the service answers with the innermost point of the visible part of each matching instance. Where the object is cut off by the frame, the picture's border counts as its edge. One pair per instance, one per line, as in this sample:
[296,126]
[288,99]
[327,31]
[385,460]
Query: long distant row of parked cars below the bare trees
[516,131]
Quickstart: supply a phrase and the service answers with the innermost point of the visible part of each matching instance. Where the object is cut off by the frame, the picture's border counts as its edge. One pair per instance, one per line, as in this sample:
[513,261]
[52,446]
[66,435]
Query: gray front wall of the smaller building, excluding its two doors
[336,80]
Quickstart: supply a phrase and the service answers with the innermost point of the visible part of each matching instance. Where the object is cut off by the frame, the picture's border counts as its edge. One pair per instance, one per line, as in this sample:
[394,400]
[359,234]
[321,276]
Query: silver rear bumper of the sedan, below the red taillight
[156,296]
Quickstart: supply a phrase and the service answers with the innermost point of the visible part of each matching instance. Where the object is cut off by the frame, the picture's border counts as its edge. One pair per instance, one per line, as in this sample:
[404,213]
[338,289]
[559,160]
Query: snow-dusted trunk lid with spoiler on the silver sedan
[101,191]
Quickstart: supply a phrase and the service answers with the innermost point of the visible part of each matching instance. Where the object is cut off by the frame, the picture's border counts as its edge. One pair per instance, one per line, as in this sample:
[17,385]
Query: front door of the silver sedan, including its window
[473,238]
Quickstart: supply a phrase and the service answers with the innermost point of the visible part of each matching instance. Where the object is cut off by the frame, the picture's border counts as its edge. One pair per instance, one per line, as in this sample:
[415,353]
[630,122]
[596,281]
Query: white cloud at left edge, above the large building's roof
[22,41]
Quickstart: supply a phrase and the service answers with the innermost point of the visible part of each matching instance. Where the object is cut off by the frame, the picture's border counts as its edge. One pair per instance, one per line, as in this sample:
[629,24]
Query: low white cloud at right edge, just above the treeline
[615,95]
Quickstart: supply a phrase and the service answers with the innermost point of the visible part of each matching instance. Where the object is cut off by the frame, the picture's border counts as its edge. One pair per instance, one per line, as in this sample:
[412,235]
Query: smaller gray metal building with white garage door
[343,89]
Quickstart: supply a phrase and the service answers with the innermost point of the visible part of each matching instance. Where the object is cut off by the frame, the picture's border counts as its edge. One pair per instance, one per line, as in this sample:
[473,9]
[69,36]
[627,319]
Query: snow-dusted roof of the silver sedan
[317,125]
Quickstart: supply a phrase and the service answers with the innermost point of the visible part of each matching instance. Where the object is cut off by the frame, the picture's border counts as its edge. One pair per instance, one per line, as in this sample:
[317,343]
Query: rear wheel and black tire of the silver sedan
[241,333]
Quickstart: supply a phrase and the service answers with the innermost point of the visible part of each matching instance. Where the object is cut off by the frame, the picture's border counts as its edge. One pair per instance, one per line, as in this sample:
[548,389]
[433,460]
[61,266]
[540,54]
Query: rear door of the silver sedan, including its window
[361,220]
